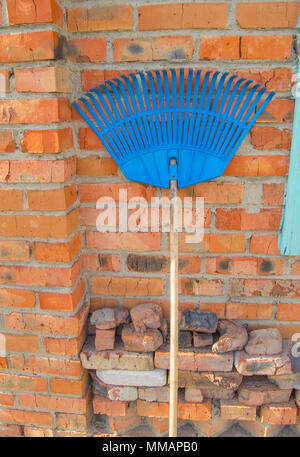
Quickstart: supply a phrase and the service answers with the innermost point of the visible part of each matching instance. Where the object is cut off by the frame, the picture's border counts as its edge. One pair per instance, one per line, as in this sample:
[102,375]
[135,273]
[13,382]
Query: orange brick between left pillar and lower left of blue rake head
[97,166]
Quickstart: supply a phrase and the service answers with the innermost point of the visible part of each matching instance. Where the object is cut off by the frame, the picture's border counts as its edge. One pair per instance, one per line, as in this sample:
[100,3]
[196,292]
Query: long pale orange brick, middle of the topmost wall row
[183,16]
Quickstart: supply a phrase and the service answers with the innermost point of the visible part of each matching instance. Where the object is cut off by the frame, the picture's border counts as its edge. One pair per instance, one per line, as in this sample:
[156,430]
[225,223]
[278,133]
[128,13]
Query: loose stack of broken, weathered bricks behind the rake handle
[225,373]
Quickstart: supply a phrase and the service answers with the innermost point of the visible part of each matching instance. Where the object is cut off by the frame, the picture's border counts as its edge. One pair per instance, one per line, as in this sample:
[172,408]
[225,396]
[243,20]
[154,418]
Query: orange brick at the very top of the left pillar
[27,12]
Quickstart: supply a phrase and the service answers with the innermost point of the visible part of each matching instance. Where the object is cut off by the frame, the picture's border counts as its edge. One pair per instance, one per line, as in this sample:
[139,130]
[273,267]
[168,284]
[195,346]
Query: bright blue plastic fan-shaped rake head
[197,117]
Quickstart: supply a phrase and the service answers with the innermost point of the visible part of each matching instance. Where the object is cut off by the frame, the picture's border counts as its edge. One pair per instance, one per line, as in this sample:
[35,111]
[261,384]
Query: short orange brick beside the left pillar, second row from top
[87,50]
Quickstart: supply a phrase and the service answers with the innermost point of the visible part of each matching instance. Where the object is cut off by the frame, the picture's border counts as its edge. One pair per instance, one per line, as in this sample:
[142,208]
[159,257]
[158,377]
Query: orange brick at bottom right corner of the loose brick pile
[279,414]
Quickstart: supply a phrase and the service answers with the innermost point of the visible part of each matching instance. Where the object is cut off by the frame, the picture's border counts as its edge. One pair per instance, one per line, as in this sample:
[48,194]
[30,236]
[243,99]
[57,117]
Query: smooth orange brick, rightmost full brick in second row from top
[266,47]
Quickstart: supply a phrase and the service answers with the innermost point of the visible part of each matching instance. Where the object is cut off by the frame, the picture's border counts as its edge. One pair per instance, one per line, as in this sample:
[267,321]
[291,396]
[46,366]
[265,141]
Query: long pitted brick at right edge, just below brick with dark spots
[265,287]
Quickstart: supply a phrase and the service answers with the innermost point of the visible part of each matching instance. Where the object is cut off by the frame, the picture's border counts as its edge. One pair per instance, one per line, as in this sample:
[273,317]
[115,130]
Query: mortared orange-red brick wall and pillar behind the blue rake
[52,170]
